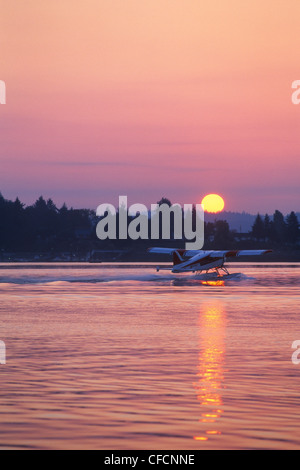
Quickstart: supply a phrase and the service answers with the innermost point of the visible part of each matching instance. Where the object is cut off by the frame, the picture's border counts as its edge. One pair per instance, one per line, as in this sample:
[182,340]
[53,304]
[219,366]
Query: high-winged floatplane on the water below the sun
[185,261]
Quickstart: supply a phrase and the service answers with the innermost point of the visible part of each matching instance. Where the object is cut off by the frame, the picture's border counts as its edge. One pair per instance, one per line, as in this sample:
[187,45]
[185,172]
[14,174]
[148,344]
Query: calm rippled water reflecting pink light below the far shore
[125,358]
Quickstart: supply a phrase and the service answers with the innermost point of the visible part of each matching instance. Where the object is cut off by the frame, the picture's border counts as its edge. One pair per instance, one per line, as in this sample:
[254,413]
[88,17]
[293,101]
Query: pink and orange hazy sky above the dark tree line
[152,98]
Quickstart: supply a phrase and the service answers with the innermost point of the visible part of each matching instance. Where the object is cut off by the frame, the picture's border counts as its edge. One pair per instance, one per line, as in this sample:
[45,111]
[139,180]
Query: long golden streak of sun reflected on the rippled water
[212,324]
